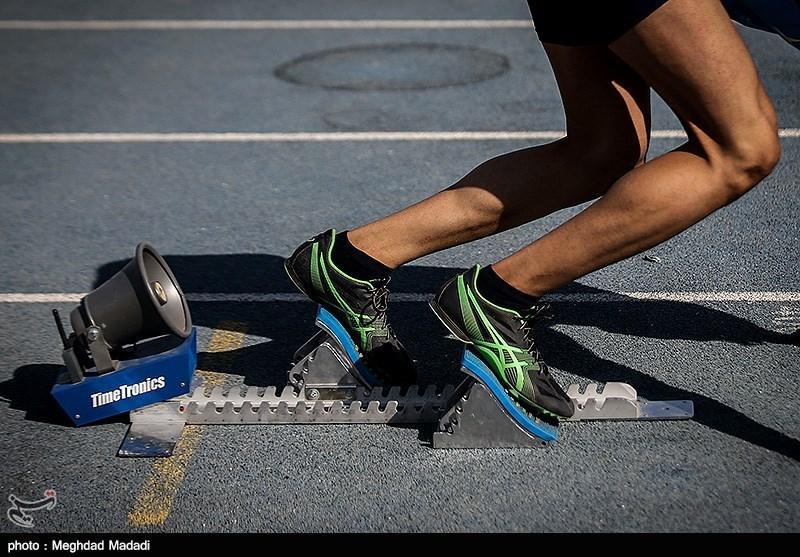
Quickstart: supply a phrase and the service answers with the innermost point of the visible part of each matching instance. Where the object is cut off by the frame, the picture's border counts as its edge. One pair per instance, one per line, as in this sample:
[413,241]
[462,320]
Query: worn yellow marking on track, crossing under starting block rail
[156,497]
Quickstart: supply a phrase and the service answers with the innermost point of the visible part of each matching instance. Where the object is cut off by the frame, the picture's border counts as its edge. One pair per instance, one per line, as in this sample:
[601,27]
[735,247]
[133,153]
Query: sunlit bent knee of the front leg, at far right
[749,157]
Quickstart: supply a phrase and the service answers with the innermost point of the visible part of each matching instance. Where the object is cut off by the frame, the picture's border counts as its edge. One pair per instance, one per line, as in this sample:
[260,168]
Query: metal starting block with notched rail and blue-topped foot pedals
[329,383]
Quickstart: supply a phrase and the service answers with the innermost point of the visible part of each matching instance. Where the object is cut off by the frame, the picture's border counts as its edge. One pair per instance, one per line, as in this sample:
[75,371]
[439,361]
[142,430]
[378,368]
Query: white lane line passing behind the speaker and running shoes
[745,296]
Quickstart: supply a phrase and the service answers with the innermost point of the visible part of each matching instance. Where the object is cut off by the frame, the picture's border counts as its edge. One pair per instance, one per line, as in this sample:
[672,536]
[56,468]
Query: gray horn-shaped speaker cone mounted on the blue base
[141,301]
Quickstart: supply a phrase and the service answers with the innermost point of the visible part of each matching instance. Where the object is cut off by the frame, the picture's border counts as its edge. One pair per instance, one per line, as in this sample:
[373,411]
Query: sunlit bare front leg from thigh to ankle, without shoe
[690,53]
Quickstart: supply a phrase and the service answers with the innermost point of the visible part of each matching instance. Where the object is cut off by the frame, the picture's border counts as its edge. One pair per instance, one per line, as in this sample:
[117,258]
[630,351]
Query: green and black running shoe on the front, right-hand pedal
[503,340]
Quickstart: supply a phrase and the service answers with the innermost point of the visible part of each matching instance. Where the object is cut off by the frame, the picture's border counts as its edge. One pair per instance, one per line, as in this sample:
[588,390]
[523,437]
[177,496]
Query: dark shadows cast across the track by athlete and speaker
[285,325]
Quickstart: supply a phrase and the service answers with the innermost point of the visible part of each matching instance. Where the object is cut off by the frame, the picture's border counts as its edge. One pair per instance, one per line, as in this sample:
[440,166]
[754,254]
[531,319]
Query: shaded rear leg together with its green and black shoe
[607,110]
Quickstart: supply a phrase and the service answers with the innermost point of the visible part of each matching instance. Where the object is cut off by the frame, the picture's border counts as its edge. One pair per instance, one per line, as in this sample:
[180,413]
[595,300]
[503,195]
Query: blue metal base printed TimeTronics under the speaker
[163,371]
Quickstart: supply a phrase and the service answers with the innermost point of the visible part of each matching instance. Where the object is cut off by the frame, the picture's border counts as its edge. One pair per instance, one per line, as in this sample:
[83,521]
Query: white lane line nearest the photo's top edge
[259,24]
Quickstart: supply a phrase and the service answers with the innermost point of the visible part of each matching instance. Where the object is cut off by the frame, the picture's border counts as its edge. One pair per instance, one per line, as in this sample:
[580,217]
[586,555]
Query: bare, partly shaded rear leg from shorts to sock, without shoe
[607,108]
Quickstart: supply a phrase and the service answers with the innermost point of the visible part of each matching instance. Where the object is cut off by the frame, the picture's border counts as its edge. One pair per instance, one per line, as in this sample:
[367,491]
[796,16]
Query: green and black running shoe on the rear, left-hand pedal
[359,305]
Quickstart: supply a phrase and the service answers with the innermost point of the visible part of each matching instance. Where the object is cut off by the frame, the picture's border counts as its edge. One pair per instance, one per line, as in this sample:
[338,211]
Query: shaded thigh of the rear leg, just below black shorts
[606,103]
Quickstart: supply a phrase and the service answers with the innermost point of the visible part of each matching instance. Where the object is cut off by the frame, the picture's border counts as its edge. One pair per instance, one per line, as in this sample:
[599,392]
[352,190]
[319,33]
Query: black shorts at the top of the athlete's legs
[587,22]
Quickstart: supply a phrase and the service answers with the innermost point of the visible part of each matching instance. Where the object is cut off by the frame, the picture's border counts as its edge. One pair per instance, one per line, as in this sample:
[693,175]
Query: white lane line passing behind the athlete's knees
[276,137]
